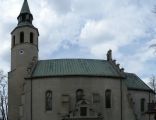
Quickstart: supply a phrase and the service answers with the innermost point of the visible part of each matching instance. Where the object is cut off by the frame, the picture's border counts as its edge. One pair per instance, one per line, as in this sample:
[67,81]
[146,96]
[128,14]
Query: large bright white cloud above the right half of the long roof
[120,28]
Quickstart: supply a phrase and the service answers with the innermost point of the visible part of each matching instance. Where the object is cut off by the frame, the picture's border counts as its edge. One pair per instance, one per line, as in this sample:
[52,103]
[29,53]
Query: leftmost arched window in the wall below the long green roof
[48,99]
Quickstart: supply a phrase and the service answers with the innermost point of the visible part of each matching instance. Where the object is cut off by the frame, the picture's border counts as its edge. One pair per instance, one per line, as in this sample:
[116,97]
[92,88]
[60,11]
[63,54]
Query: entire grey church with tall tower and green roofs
[70,89]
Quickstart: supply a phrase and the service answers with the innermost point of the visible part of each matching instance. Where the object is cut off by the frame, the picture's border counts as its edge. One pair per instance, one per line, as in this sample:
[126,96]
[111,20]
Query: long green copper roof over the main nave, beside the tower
[84,67]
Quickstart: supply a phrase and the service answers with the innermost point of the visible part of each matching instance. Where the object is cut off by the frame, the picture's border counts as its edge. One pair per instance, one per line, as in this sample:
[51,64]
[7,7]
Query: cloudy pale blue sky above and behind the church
[88,29]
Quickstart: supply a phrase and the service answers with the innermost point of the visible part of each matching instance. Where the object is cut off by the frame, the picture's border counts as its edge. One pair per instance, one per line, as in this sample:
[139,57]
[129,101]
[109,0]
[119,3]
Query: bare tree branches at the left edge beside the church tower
[3,96]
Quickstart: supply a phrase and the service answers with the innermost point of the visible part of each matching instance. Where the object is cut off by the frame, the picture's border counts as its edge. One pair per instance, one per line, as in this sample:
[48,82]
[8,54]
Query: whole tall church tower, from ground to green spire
[24,47]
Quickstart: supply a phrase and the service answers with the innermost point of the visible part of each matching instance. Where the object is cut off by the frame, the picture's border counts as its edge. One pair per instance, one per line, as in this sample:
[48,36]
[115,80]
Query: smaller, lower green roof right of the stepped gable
[134,82]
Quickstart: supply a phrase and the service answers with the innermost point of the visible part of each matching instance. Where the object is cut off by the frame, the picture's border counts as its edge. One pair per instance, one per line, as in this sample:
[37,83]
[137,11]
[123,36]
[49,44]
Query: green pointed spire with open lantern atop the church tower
[25,17]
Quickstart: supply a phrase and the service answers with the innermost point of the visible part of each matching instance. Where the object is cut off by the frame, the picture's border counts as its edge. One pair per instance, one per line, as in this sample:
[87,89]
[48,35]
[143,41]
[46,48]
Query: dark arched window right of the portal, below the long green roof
[108,98]
